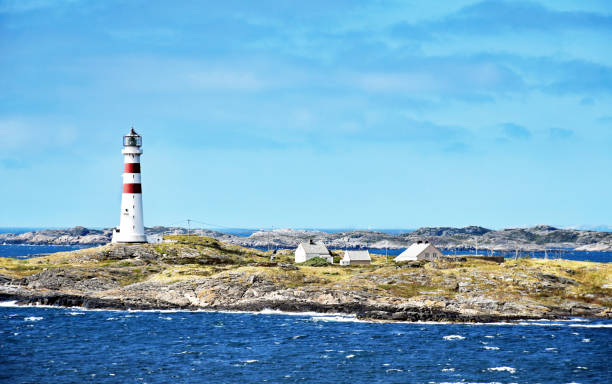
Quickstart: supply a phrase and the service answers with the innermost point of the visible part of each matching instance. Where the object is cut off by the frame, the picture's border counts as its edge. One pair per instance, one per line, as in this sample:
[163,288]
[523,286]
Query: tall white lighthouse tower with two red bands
[131,225]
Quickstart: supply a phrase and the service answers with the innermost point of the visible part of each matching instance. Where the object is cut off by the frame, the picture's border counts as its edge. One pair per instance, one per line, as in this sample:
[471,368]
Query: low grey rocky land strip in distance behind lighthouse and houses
[538,238]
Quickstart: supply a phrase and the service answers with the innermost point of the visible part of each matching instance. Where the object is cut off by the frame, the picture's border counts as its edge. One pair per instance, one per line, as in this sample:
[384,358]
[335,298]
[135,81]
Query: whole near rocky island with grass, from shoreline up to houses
[203,273]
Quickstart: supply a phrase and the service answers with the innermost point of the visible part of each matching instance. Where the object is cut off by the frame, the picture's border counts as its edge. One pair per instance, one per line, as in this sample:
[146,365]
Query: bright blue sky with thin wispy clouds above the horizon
[361,114]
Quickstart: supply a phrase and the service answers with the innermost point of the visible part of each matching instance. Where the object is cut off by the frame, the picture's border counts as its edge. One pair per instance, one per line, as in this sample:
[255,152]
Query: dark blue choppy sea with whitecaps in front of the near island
[58,345]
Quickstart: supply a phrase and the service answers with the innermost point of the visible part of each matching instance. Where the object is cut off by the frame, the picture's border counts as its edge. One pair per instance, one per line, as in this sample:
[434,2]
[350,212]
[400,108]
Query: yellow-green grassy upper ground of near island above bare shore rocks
[189,258]
